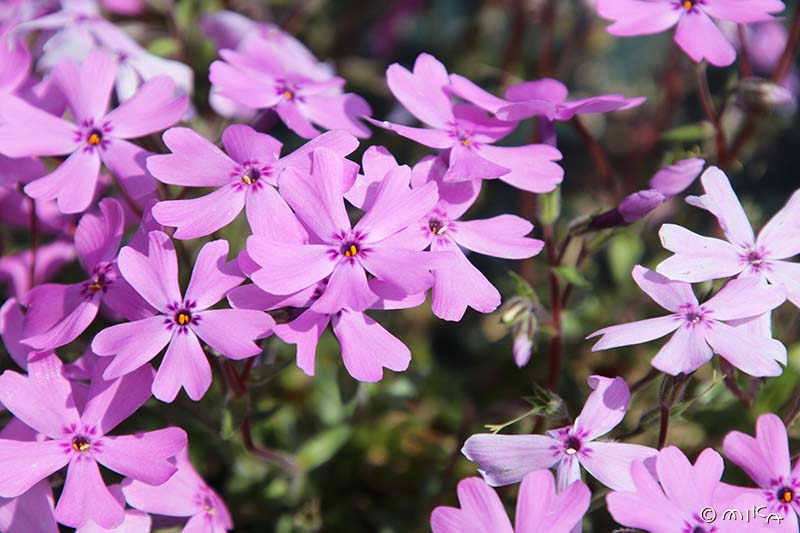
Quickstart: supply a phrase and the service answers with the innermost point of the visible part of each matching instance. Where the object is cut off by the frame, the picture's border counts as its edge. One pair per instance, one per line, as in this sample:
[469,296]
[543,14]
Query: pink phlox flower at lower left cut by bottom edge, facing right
[184,494]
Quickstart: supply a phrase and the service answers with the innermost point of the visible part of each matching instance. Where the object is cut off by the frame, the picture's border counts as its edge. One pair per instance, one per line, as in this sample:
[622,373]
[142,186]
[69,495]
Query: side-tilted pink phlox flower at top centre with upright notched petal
[467,131]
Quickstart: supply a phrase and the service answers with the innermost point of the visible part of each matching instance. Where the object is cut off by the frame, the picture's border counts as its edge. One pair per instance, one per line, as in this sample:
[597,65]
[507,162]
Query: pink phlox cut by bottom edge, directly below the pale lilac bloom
[540,509]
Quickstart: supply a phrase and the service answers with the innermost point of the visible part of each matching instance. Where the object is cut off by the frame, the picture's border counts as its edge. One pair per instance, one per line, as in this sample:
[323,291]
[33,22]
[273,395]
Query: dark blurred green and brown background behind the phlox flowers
[379,457]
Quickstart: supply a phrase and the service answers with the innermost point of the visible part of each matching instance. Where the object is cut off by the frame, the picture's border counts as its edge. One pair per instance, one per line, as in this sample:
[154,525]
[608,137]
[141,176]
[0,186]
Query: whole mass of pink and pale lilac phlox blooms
[332,240]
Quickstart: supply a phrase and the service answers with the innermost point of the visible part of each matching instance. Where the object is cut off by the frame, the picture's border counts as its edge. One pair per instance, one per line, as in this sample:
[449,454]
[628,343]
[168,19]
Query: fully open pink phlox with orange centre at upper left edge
[96,135]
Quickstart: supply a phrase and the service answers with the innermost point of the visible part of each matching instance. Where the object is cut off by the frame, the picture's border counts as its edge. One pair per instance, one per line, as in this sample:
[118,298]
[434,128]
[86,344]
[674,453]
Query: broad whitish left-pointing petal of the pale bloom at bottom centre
[505,459]
